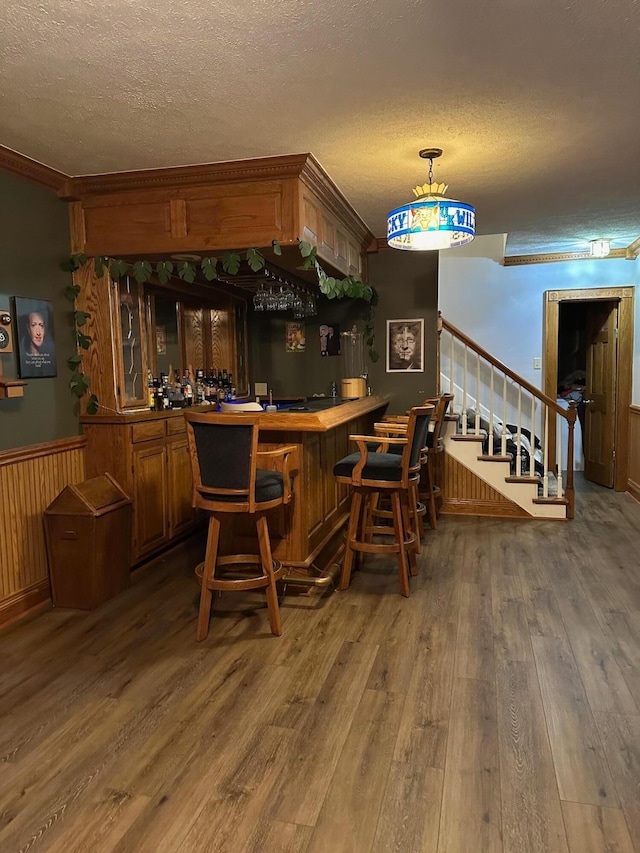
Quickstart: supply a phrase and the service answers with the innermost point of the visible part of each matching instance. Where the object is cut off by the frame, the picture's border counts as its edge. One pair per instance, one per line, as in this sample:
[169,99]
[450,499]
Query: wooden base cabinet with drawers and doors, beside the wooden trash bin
[147,455]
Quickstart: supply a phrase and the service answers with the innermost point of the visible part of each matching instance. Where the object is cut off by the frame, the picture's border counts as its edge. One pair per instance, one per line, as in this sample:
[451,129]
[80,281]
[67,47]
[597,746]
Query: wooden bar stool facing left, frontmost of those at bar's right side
[380,471]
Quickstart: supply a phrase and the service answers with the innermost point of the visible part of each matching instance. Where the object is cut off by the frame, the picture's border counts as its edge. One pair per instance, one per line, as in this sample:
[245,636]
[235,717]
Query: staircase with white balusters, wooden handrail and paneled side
[508,447]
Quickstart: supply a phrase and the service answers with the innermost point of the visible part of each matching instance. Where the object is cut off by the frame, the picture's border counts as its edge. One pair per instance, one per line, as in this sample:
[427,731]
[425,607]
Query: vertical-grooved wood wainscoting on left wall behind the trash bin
[30,478]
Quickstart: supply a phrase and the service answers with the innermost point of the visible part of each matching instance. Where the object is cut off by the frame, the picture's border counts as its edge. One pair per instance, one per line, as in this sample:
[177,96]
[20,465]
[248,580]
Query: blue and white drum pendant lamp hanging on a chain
[431,221]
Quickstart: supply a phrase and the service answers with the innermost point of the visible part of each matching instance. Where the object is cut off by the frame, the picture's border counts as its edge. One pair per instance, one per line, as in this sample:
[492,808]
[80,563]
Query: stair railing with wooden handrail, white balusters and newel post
[488,395]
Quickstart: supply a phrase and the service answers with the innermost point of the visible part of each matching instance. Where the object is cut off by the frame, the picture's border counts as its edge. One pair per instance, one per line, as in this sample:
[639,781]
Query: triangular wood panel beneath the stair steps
[464,493]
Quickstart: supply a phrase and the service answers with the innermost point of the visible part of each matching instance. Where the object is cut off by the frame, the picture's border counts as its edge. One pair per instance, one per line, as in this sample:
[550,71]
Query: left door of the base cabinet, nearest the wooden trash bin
[151,518]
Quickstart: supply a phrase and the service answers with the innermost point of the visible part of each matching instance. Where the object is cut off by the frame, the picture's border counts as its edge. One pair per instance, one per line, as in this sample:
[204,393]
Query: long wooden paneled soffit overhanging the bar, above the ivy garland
[217,207]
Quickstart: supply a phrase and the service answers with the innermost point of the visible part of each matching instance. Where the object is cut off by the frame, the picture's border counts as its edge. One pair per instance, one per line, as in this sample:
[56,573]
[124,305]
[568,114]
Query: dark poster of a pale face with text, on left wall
[36,338]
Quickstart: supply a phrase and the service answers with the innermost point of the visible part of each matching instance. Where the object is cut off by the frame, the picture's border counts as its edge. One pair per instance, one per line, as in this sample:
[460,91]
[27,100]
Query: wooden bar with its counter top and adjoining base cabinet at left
[146,452]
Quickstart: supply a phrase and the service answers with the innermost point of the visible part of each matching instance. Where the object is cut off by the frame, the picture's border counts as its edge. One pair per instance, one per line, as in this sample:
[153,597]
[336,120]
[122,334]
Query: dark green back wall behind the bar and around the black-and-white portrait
[407,285]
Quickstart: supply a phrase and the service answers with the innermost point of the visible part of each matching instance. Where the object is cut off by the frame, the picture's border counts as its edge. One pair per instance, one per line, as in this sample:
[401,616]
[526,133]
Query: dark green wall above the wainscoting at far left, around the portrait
[34,238]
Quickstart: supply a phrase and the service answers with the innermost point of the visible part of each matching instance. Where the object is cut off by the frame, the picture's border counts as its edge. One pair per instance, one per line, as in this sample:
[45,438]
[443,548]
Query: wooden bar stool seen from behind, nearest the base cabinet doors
[226,479]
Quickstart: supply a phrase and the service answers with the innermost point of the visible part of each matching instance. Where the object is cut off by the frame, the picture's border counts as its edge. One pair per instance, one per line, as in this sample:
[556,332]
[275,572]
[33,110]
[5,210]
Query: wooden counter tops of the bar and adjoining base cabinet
[316,414]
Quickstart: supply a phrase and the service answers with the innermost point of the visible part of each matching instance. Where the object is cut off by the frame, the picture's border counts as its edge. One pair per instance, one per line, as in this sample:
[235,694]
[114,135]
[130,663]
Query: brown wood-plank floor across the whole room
[497,709]
